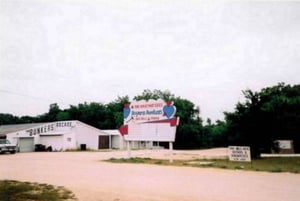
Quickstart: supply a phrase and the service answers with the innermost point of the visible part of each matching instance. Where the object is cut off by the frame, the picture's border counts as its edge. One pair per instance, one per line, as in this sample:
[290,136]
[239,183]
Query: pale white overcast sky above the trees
[69,52]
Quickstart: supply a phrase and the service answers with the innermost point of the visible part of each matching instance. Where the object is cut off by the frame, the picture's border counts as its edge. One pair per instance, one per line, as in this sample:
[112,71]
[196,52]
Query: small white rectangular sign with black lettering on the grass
[239,153]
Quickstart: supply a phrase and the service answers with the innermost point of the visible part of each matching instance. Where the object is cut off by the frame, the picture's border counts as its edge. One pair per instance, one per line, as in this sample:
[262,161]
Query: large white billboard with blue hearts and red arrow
[152,120]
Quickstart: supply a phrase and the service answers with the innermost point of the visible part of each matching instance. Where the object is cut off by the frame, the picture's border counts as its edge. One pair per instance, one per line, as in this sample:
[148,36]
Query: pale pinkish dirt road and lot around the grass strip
[93,180]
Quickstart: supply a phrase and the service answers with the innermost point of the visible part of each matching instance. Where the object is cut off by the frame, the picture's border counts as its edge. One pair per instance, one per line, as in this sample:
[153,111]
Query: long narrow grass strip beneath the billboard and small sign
[287,164]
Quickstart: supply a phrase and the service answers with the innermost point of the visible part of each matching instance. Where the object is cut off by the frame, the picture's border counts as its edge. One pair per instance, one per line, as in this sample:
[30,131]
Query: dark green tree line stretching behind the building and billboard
[271,114]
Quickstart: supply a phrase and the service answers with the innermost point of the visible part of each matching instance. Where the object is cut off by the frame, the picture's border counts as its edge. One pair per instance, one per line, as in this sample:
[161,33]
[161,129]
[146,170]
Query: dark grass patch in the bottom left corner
[25,191]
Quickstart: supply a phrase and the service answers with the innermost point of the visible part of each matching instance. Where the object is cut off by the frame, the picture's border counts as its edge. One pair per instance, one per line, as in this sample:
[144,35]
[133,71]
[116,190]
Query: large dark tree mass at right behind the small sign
[268,115]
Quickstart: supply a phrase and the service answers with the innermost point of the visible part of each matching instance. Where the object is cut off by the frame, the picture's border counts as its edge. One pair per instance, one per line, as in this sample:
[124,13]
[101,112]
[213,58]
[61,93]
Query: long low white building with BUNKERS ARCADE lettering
[61,136]
